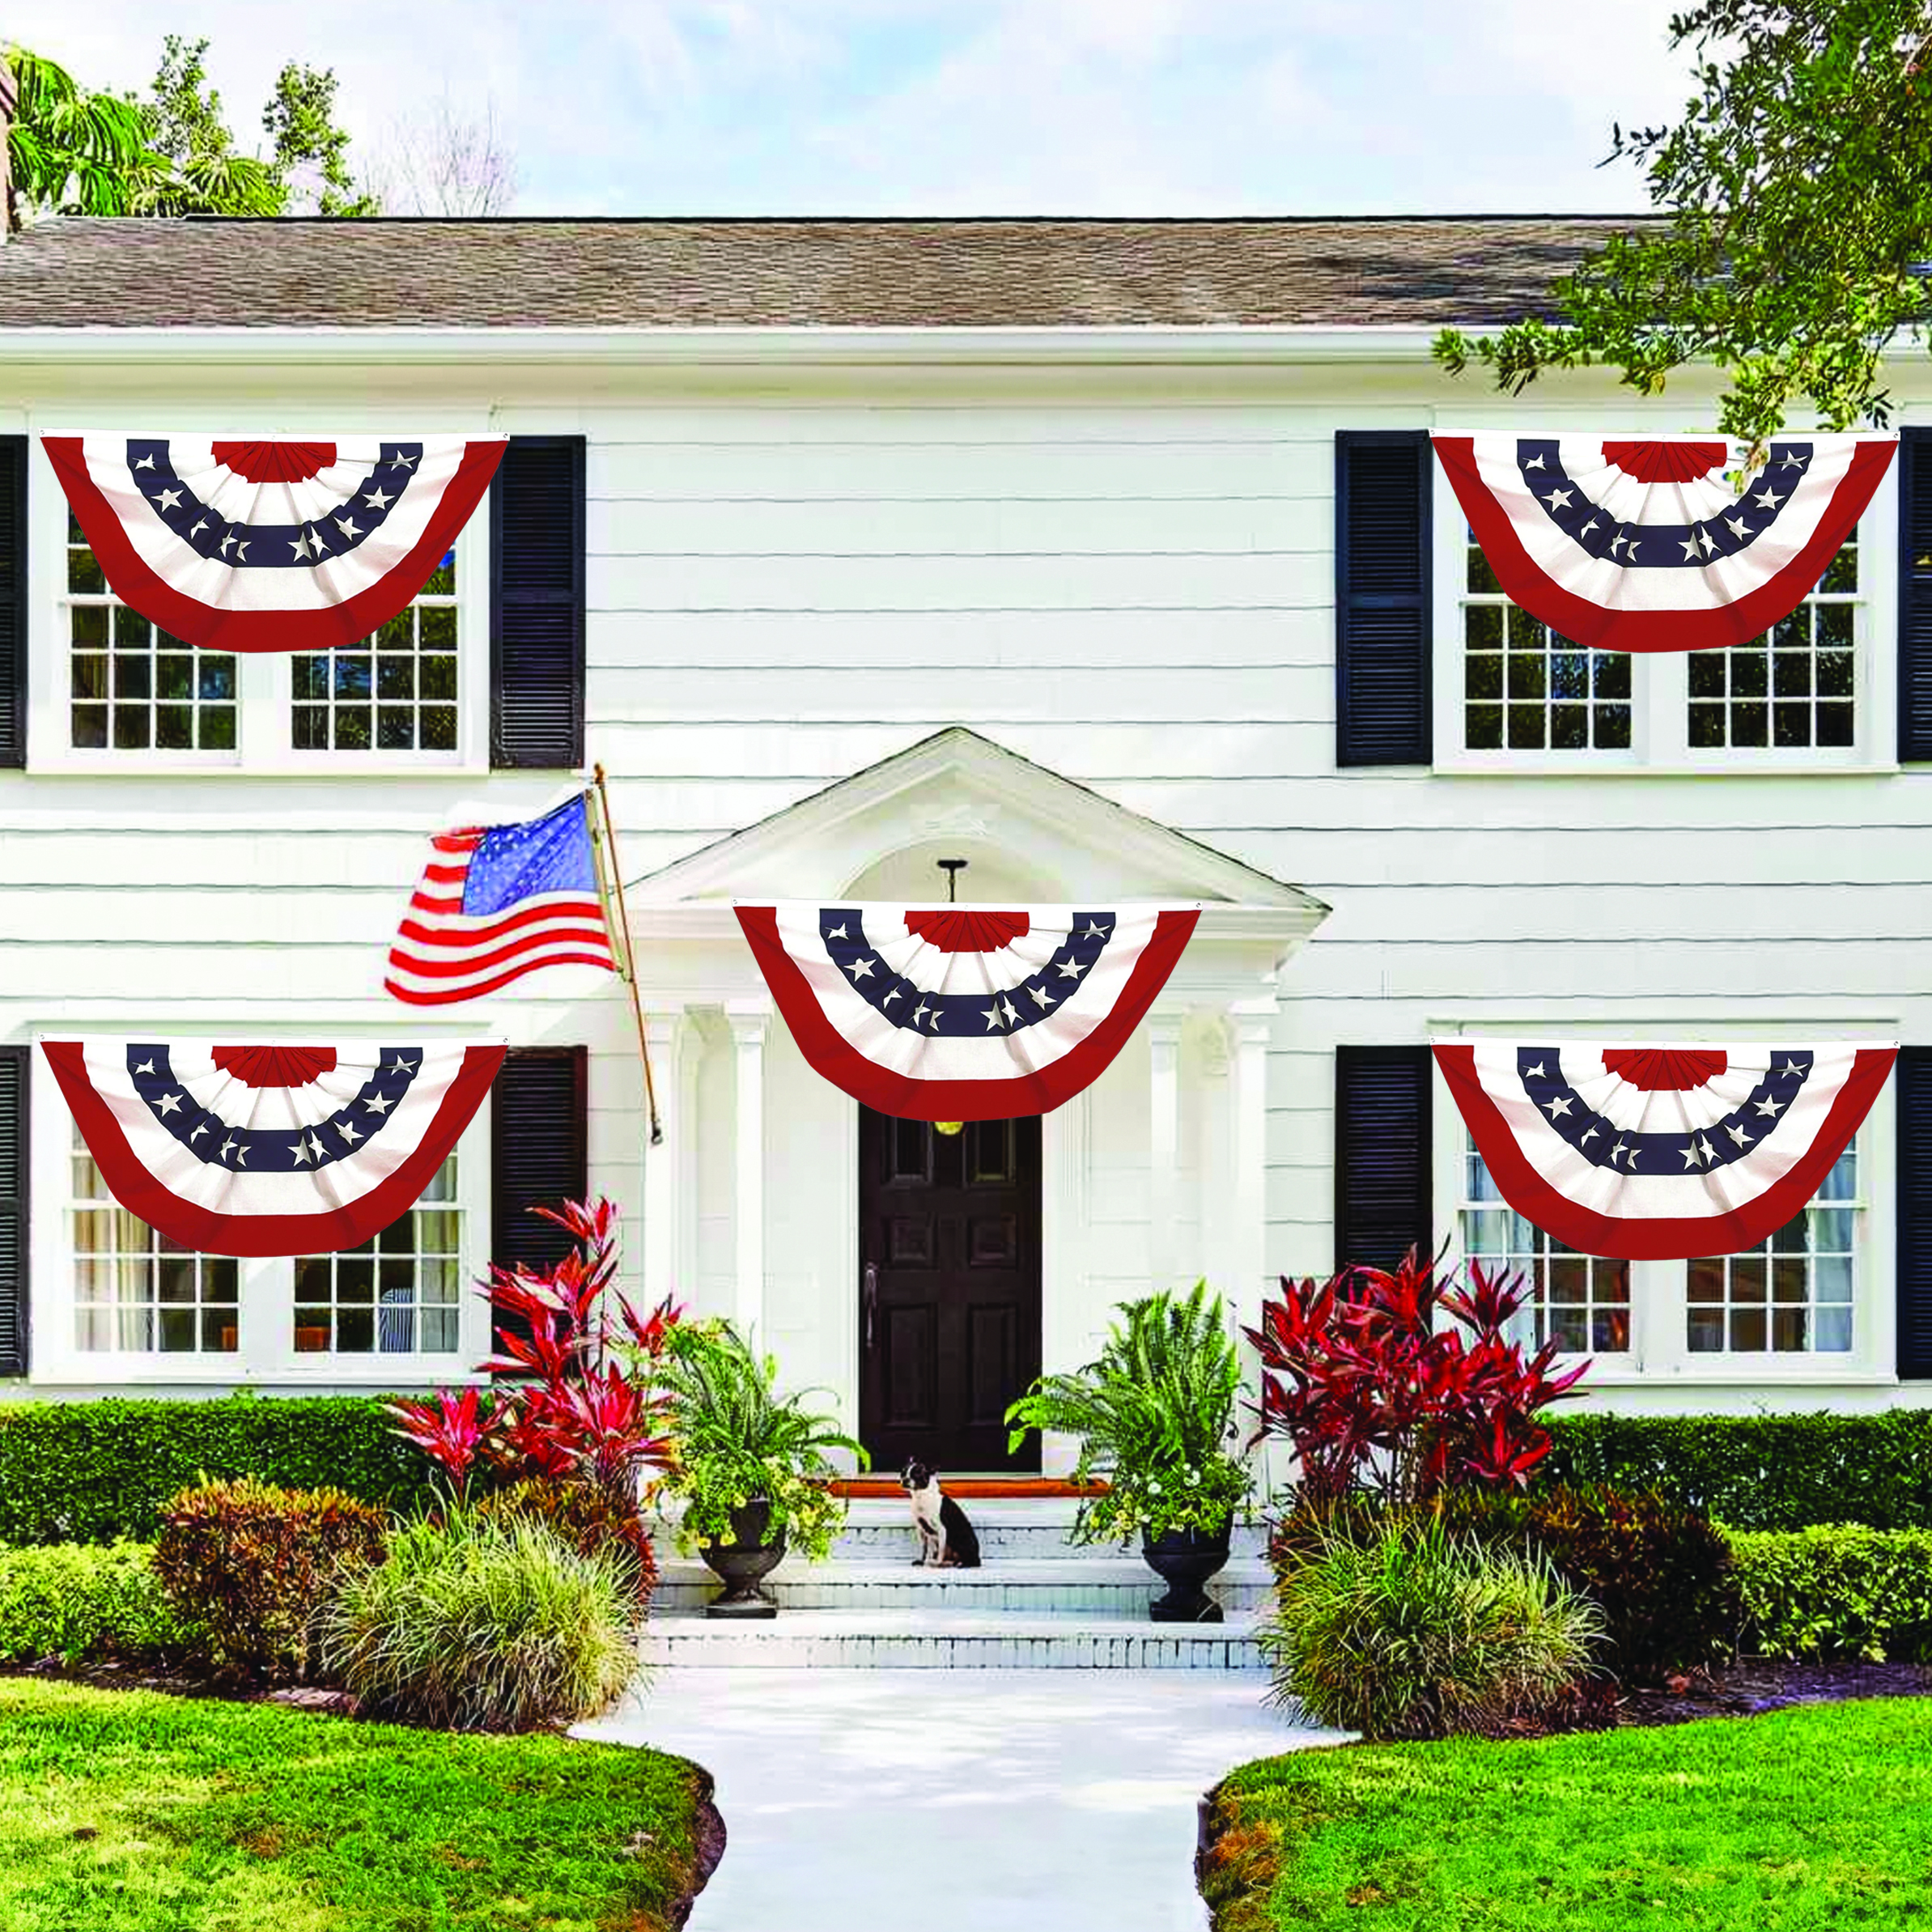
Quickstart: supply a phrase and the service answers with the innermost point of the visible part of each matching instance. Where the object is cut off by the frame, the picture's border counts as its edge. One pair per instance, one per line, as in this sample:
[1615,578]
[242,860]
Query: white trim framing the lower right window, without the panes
[1661,1355]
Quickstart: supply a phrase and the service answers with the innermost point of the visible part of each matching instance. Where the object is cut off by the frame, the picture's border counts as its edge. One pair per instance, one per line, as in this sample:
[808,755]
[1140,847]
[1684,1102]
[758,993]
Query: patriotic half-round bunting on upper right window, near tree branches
[1643,546]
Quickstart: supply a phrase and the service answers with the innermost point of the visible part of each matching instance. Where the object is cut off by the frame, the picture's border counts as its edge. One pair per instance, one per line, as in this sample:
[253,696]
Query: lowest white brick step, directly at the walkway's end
[950,1639]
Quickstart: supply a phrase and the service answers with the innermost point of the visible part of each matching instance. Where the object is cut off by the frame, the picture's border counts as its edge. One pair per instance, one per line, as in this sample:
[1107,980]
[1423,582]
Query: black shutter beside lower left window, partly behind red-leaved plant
[540,1151]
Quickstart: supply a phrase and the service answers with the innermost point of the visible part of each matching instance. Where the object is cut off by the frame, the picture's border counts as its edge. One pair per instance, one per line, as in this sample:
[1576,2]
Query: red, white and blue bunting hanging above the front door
[963,1013]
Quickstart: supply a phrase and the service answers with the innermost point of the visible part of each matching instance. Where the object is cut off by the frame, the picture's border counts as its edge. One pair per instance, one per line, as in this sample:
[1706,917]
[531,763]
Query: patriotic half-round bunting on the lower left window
[270,1149]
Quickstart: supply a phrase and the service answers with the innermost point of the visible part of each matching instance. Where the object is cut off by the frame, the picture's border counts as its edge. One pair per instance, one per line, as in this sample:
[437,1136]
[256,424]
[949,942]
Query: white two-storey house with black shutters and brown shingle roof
[1100,555]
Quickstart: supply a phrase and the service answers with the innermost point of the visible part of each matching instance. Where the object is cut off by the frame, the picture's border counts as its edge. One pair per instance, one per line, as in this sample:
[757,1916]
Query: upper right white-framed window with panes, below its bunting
[1813,695]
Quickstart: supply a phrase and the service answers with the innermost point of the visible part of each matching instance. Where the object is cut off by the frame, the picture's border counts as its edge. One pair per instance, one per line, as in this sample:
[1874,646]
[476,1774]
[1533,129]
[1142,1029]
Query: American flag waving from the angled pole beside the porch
[499,901]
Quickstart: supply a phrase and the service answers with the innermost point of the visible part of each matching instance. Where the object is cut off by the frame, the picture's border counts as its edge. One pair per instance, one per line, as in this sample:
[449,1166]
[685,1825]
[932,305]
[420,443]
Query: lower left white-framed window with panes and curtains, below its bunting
[117,1301]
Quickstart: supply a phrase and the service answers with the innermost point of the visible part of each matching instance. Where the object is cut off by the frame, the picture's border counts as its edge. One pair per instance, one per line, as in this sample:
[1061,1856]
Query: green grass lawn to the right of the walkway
[1817,1817]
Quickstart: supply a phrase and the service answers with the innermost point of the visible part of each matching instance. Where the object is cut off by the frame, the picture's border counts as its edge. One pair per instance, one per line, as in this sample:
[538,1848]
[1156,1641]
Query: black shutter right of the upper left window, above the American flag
[536,606]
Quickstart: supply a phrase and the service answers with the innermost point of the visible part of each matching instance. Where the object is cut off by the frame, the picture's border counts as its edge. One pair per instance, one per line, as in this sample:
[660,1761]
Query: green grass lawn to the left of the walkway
[132,1813]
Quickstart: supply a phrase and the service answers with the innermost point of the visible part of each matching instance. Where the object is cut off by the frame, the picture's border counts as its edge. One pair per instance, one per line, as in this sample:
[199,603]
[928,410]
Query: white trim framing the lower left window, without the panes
[268,1286]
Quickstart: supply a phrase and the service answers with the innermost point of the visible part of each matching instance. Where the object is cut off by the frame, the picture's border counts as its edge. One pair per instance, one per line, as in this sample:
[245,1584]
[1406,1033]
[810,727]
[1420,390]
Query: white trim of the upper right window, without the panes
[1661,679]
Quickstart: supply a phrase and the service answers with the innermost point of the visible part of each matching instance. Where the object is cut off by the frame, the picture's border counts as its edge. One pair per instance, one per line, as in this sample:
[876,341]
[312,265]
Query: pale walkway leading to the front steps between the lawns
[955,1802]
